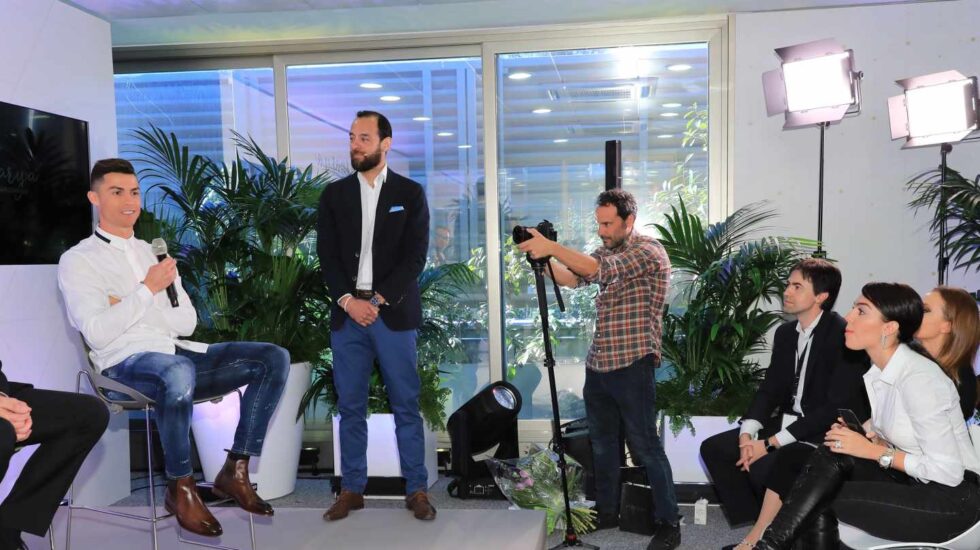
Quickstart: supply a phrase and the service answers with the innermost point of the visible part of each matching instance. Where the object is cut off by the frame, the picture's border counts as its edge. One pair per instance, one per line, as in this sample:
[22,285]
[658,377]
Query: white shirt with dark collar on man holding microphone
[105,265]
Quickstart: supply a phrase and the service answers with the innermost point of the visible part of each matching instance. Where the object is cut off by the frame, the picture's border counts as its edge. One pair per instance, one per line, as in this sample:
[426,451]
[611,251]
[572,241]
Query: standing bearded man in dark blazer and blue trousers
[372,239]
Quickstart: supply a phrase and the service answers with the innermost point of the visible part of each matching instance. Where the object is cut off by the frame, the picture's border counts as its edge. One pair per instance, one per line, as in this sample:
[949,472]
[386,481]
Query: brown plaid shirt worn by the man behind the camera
[633,280]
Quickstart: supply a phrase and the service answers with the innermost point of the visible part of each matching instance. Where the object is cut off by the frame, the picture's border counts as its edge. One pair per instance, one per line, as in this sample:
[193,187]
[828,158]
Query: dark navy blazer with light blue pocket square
[401,240]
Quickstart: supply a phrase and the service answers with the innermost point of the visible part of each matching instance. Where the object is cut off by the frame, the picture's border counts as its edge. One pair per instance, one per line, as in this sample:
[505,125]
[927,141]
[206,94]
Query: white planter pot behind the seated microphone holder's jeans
[274,471]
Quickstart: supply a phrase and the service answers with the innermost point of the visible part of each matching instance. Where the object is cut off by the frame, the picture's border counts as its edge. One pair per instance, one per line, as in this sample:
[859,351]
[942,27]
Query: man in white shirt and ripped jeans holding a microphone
[114,292]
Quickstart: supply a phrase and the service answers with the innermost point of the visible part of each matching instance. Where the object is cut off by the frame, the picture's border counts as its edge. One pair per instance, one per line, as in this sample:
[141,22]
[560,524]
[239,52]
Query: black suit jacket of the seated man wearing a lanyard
[833,380]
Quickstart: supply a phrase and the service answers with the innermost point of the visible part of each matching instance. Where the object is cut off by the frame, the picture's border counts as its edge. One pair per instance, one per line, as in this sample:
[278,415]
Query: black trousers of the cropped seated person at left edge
[67,426]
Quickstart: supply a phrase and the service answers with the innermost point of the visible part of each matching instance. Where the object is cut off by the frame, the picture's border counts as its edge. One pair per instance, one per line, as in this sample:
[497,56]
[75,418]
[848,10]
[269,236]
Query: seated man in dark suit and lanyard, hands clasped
[810,376]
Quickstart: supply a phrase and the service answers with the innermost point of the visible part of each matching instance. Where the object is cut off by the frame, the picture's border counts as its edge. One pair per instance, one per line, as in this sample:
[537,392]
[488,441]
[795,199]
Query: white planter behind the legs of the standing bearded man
[382,452]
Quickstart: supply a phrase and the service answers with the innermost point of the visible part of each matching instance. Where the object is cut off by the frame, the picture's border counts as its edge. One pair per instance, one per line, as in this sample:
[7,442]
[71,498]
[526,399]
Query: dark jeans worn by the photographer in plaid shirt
[627,396]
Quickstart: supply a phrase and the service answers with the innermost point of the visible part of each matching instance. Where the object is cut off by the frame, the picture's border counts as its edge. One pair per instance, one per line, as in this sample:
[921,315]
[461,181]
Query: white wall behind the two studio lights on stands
[867,225]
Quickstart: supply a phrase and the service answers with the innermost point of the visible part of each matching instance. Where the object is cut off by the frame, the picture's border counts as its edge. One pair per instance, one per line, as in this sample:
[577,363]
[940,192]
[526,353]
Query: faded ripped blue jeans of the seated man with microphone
[175,381]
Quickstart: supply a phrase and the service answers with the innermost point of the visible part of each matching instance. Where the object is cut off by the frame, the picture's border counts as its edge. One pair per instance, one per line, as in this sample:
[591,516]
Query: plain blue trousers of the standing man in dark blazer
[354,350]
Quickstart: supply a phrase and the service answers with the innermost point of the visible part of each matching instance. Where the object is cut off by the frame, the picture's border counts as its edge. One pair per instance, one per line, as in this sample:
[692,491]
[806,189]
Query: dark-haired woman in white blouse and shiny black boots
[913,476]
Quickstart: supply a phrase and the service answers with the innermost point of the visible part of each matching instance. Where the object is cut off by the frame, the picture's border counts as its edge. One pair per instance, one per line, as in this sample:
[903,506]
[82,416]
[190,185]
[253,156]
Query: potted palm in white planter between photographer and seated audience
[725,281]
